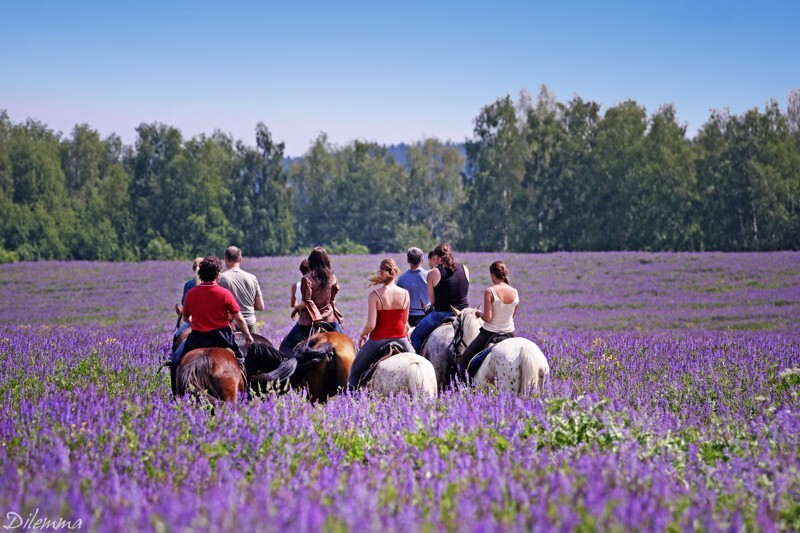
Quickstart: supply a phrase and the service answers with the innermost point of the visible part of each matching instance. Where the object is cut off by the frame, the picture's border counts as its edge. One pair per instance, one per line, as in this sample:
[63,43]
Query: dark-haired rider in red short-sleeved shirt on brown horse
[209,308]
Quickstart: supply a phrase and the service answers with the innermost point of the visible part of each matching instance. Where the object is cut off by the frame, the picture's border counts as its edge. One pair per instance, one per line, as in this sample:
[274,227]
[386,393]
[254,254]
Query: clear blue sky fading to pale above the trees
[379,71]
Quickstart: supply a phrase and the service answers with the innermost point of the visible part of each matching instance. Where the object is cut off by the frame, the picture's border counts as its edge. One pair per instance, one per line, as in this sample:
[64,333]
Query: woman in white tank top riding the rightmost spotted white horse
[500,305]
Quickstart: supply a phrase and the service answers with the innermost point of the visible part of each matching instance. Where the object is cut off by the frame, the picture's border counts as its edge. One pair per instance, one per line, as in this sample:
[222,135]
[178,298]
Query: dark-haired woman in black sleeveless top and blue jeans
[448,286]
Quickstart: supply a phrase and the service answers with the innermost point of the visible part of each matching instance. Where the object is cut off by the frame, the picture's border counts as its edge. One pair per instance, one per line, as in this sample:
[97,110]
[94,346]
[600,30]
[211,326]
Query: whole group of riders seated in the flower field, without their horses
[402,309]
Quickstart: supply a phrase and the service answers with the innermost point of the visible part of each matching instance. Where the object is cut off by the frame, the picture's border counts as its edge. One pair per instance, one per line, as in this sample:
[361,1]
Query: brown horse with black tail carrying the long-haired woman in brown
[323,364]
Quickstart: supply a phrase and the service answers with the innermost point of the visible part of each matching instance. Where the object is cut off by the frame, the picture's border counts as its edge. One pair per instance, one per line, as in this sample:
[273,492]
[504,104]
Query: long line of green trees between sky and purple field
[536,176]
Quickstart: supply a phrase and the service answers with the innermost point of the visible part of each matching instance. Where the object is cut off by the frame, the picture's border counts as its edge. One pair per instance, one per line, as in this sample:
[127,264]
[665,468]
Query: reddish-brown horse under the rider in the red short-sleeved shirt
[213,371]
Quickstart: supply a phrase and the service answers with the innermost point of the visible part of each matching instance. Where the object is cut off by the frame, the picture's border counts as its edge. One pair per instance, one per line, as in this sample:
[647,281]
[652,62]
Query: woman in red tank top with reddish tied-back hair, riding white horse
[387,319]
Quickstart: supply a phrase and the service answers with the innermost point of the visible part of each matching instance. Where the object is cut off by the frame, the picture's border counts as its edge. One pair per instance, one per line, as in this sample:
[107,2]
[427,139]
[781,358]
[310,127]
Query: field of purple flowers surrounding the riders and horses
[672,405]
